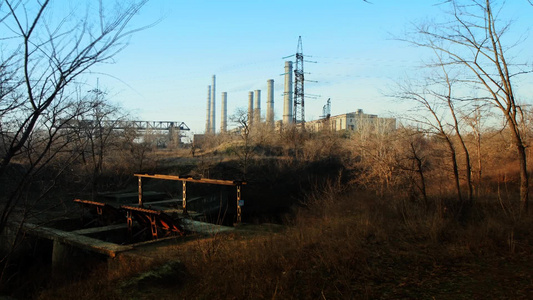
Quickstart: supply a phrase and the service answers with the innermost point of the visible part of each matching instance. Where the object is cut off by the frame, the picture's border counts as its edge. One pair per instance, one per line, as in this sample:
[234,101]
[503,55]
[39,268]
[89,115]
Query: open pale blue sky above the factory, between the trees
[164,73]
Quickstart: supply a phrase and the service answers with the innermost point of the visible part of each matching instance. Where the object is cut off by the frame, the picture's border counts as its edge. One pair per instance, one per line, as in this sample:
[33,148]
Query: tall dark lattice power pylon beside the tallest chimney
[299,98]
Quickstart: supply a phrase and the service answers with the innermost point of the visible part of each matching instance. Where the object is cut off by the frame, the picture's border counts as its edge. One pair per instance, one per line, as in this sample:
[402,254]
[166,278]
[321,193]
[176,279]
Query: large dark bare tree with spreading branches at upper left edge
[49,56]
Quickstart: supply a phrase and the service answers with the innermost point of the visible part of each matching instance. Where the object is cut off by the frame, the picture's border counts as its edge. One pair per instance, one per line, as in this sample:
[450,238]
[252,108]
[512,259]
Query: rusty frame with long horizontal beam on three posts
[237,183]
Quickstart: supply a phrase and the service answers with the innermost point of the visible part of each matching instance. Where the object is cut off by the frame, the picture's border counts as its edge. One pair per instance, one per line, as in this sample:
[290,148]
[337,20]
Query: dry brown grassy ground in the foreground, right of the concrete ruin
[343,245]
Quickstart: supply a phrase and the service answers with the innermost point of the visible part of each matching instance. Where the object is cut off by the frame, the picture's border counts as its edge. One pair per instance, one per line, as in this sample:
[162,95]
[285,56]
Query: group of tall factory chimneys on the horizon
[254,107]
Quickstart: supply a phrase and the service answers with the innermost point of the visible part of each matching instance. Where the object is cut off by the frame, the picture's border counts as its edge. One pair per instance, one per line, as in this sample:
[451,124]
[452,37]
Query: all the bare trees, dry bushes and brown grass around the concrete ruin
[435,208]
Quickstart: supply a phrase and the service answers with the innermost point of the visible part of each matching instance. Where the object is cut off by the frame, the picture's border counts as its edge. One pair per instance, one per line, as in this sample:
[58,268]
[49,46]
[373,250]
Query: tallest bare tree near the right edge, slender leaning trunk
[473,39]
